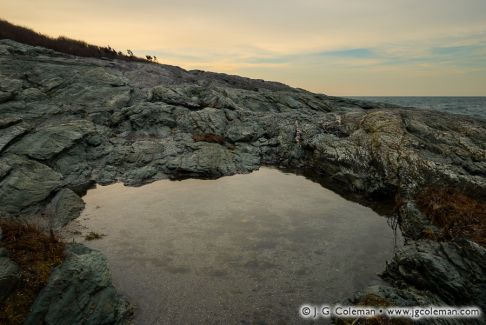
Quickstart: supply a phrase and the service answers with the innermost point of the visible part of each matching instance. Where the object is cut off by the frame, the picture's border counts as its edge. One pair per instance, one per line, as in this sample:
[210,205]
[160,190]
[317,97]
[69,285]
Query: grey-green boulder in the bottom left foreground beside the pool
[79,291]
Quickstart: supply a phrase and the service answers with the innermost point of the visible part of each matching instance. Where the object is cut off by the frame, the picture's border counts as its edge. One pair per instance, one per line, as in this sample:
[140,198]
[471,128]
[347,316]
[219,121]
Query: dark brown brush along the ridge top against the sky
[62,44]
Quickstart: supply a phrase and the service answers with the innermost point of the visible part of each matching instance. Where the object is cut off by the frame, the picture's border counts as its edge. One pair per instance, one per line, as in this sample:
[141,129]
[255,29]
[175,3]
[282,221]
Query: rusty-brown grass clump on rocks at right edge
[455,214]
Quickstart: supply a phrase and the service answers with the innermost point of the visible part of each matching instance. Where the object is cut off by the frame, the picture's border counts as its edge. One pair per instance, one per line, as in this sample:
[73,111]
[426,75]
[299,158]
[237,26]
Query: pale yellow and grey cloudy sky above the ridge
[336,47]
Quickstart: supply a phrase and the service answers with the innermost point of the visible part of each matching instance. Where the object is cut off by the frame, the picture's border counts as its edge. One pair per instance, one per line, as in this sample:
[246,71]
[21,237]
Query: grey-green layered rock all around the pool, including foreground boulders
[67,123]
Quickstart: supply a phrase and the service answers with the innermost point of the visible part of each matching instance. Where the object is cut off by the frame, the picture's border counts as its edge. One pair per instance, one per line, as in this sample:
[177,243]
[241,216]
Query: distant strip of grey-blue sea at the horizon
[471,106]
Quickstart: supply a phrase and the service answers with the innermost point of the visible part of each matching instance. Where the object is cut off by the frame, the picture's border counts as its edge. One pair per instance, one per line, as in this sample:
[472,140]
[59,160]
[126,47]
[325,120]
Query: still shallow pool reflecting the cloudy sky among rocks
[240,249]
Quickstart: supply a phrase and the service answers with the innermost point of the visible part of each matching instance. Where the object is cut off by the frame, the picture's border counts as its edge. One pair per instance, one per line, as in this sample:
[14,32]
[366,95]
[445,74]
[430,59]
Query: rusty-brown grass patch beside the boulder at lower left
[36,253]
